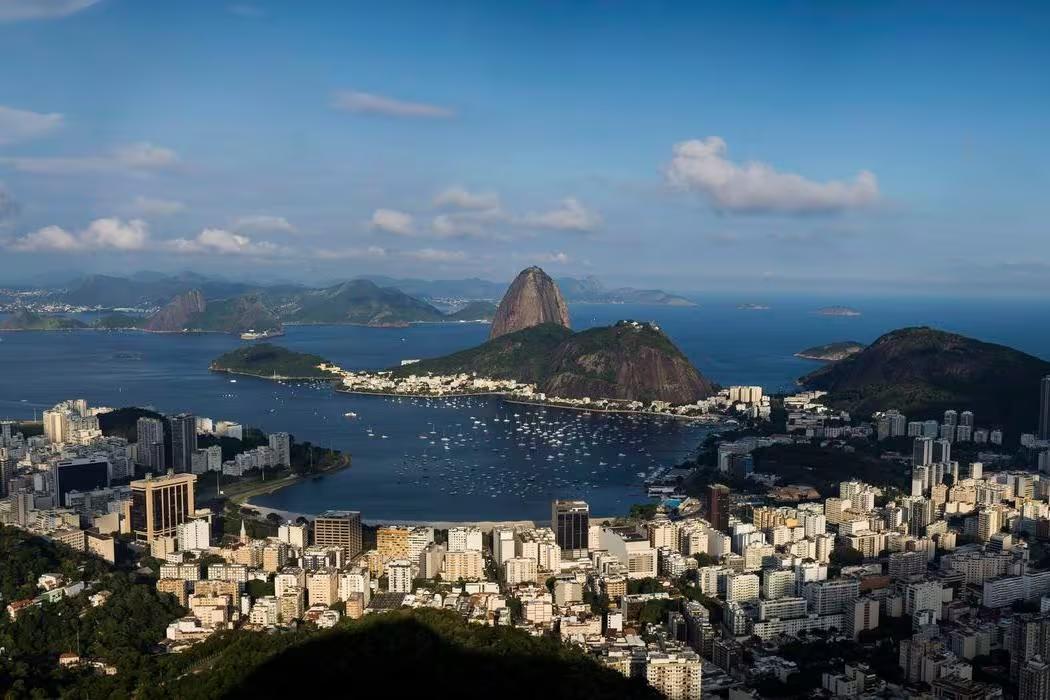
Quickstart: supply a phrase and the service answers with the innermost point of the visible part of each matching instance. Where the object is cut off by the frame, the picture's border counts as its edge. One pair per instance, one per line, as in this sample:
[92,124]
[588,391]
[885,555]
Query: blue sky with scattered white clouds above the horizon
[875,147]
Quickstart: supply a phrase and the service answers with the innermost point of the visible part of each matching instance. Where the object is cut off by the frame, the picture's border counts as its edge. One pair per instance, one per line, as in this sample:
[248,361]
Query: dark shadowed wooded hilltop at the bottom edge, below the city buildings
[412,654]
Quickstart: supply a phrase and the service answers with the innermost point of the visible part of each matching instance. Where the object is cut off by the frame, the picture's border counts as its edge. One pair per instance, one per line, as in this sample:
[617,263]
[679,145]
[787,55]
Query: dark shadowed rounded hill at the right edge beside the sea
[922,372]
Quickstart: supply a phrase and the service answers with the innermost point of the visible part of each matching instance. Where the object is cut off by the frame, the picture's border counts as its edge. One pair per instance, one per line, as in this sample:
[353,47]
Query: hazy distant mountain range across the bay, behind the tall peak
[192,303]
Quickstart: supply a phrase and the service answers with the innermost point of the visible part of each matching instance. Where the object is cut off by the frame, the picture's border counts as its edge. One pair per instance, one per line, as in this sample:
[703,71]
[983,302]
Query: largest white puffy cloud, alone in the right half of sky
[702,166]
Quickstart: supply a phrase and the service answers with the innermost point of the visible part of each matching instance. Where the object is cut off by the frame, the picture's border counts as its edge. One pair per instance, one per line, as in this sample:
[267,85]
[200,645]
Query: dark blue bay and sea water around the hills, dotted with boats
[469,459]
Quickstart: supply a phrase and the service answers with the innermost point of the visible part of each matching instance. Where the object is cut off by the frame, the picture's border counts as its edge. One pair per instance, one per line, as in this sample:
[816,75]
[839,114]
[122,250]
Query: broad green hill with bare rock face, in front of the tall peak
[629,360]
